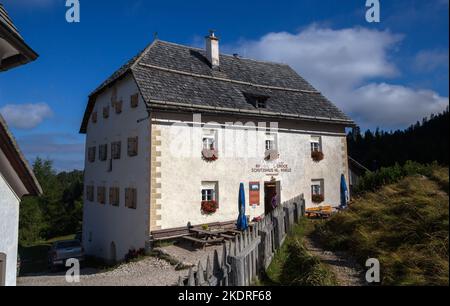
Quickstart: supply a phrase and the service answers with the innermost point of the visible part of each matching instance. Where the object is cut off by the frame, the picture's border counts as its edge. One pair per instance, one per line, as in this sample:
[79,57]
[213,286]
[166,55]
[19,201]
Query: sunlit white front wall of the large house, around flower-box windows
[181,174]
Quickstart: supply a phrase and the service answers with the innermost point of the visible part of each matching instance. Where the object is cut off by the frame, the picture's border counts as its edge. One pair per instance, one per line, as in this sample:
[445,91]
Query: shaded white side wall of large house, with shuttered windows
[127,228]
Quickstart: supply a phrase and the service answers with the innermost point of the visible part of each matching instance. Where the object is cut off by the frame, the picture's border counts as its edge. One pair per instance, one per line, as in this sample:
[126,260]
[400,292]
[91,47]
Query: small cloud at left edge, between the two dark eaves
[26,116]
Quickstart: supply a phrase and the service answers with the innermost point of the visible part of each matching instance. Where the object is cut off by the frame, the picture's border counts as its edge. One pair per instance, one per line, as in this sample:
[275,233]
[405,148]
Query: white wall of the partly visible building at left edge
[9,229]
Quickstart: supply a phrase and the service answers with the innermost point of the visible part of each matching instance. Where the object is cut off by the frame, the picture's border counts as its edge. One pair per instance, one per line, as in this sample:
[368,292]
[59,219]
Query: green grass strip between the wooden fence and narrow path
[293,265]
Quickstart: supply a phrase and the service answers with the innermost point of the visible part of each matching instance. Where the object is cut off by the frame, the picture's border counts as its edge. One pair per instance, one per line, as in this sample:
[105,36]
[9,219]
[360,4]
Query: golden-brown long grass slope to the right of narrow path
[405,225]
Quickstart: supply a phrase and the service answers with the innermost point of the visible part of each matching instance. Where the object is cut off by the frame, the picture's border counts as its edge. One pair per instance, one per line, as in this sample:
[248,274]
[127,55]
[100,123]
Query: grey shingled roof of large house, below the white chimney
[175,77]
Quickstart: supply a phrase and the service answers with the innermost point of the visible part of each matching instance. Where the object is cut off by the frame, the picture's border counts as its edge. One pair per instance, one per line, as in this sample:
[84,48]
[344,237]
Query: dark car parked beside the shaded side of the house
[61,251]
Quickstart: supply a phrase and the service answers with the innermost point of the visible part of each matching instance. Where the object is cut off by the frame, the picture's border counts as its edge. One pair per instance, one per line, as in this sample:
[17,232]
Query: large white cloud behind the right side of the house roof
[343,64]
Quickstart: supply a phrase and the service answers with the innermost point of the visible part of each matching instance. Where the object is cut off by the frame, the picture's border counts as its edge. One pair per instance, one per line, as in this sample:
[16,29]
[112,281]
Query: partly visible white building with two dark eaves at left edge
[16,177]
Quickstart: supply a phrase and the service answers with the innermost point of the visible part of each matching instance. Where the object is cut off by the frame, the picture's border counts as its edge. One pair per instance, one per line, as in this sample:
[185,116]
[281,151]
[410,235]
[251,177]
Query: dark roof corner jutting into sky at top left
[13,49]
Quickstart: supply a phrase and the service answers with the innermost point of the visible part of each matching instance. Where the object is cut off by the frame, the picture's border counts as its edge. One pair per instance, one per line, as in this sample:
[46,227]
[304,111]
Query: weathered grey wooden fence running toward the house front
[250,253]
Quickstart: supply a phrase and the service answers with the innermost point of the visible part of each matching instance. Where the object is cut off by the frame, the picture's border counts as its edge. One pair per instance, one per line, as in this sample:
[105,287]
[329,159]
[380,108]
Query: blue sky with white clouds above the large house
[385,75]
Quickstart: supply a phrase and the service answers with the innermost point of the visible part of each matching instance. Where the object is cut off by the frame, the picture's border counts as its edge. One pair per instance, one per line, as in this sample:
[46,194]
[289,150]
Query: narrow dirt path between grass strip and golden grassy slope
[347,271]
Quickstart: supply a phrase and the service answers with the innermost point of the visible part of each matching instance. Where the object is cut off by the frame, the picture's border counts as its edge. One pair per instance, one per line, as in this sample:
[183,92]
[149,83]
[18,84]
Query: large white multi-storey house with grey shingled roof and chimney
[164,145]
